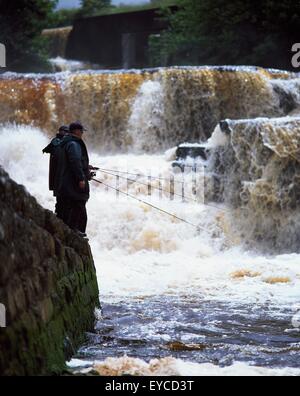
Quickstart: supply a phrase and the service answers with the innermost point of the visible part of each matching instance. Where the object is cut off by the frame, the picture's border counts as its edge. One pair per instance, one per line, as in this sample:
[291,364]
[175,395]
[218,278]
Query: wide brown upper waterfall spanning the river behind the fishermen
[149,110]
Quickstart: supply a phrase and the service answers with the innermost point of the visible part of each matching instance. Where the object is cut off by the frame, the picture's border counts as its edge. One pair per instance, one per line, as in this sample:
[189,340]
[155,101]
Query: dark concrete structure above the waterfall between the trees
[115,41]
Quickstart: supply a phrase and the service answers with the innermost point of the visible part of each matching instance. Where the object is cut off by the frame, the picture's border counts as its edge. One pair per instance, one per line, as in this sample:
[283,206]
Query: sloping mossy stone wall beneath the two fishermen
[47,284]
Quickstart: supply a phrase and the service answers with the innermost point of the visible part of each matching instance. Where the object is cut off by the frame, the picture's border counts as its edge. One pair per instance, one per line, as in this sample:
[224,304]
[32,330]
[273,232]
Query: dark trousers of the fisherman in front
[74,214]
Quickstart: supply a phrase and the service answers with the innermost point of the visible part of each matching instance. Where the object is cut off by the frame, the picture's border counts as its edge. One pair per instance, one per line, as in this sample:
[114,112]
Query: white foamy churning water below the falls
[140,252]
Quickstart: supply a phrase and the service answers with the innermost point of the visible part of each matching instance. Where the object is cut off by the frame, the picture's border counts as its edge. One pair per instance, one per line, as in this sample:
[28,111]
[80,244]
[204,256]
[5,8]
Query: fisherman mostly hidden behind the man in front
[53,166]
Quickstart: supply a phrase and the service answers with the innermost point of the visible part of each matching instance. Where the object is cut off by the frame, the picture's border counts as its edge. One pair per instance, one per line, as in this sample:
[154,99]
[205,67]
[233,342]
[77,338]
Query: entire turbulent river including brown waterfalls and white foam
[177,299]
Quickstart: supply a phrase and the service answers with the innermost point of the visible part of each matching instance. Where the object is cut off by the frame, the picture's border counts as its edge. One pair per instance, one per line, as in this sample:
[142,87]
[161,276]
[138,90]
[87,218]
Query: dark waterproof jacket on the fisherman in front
[73,163]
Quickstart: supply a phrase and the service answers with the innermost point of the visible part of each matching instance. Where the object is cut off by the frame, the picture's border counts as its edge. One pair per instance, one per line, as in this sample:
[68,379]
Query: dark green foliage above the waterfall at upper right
[229,32]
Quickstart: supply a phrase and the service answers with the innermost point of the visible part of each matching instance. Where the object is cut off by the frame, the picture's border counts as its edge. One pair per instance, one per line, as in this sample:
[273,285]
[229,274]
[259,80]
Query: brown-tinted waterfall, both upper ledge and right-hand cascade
[255,153]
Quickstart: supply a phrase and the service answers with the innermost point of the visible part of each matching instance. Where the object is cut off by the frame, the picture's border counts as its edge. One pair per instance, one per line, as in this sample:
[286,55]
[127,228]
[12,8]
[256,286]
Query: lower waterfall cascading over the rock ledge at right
[256,167]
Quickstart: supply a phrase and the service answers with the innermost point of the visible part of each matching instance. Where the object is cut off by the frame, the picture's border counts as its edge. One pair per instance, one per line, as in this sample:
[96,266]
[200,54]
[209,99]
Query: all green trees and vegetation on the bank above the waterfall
[200,32]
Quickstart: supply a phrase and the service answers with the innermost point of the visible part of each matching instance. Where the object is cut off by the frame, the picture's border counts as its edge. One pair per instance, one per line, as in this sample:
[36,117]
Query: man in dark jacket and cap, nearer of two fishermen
[73,178]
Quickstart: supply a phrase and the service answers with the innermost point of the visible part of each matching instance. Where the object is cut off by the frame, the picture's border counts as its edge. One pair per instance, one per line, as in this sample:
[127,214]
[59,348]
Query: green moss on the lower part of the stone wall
[49,344]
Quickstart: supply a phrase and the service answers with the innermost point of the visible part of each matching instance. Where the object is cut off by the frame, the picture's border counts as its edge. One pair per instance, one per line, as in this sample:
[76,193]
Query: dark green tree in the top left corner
[21,24]
